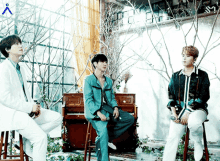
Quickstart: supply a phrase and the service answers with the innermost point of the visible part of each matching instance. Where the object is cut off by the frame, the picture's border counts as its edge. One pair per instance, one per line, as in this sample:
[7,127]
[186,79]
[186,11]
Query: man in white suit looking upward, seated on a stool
[16,103]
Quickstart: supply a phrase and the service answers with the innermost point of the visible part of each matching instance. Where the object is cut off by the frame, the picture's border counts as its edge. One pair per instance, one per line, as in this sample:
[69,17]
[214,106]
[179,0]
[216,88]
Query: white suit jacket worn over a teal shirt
[12,98]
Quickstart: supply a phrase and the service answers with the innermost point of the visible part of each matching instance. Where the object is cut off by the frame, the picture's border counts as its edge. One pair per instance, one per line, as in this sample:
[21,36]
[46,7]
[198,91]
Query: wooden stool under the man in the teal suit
[88,143]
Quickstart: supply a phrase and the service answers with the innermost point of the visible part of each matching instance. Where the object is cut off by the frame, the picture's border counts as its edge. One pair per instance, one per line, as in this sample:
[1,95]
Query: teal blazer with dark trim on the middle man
[93,96]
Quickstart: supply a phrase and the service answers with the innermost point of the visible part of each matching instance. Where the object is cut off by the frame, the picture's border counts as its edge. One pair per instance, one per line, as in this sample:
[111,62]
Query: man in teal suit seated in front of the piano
[101,107]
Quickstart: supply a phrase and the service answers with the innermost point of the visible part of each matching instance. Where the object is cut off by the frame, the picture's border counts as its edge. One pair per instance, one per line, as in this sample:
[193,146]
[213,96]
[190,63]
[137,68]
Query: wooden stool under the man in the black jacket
[187,143]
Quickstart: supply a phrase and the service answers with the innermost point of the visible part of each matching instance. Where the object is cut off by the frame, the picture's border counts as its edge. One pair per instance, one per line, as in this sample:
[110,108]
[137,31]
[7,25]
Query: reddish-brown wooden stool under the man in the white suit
[4,153]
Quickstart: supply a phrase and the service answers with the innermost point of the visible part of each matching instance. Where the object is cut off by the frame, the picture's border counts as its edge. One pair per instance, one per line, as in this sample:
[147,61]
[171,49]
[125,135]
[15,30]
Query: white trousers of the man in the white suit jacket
[37,129]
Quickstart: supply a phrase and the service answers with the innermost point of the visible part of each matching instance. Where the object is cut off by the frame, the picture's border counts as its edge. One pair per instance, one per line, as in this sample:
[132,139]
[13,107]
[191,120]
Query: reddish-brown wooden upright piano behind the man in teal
[75,123]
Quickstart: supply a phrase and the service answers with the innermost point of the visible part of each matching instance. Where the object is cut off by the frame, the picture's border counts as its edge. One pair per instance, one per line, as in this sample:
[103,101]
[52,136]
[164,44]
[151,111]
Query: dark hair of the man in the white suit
[7,42]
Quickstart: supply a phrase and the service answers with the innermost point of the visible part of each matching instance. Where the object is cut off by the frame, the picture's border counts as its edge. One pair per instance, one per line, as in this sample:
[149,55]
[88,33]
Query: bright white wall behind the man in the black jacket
[151,88]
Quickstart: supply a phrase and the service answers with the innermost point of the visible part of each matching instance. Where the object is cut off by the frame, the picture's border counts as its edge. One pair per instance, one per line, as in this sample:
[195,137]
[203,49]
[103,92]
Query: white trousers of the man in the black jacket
[195,121]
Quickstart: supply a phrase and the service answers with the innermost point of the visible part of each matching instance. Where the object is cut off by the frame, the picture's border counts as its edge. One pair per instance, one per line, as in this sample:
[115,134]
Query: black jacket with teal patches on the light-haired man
[198,96]
